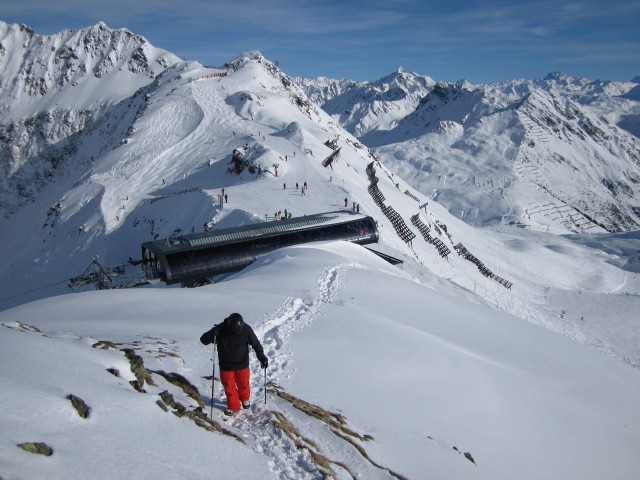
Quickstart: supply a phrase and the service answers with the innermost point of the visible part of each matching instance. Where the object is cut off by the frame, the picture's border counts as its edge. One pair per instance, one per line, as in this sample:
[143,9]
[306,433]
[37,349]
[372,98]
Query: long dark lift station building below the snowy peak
[193,258]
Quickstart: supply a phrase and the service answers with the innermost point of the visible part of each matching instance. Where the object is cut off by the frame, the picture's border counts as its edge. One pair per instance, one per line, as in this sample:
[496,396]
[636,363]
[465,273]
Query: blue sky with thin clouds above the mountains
[483,41]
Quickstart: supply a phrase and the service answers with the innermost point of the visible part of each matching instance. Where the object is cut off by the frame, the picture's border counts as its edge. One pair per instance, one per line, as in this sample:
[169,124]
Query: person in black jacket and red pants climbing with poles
[233,338]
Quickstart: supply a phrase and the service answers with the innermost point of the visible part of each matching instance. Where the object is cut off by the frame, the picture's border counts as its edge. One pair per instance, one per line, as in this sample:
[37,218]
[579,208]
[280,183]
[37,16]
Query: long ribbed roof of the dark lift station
[213,237]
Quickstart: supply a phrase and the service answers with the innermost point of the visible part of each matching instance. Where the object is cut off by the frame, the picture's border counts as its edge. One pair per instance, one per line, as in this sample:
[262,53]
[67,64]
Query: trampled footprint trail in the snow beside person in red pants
[302,440]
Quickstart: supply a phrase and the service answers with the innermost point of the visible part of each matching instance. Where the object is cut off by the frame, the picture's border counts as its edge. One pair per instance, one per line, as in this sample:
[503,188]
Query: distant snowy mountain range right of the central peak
[559,154]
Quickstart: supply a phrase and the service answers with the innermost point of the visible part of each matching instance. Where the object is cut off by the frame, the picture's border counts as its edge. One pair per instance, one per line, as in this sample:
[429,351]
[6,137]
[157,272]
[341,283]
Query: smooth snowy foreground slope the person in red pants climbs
[424,384]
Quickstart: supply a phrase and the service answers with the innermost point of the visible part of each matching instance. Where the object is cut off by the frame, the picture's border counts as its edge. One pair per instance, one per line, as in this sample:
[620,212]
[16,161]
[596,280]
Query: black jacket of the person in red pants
[233,350]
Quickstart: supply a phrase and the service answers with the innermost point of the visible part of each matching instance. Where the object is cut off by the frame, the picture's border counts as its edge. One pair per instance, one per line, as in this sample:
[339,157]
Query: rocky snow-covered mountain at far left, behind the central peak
[66,100]
